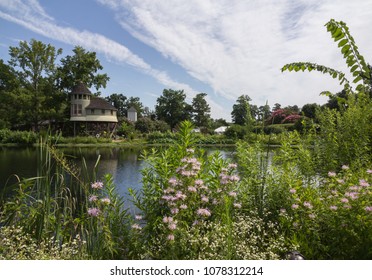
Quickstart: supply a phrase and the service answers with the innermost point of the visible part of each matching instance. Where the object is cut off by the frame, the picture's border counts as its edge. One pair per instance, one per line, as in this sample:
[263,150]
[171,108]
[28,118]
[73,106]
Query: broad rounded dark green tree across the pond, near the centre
[171,107]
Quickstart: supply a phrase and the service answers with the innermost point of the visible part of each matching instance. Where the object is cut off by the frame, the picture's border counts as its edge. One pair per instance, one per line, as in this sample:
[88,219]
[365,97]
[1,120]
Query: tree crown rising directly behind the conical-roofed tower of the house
[82,66]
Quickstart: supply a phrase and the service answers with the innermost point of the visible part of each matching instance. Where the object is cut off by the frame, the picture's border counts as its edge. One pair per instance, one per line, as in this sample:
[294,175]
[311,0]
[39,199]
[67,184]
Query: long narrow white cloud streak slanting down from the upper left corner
[38,21]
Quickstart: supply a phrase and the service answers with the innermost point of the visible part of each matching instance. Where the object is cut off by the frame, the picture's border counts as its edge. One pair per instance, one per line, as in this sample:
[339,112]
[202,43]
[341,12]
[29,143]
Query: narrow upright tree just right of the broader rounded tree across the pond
[201,110]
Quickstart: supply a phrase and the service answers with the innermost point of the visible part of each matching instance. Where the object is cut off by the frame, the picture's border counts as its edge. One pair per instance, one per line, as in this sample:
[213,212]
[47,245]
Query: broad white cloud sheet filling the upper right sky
[238,47]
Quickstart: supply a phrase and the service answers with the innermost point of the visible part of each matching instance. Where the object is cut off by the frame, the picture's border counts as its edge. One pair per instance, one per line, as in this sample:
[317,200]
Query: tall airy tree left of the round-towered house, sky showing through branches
[35,64]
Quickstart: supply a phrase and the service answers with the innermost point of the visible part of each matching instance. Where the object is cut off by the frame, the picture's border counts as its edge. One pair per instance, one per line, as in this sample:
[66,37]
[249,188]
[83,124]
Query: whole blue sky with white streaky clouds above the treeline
[224,48]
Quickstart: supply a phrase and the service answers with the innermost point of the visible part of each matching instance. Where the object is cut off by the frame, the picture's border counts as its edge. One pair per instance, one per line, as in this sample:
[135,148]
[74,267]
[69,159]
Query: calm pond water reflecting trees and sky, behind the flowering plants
[124,164]
